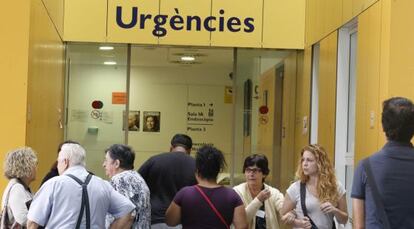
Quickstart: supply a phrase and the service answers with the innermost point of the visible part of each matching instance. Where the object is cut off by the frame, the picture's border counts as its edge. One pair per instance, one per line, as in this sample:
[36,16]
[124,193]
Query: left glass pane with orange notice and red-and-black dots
[96,99]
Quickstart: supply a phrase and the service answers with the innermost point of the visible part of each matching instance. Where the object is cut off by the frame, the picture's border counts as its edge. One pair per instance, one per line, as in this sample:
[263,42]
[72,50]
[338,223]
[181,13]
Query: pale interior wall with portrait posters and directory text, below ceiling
[169,90]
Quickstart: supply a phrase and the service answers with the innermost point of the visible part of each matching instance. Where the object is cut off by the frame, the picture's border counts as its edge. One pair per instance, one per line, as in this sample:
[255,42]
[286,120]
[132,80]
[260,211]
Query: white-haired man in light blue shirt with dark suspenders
[63,202]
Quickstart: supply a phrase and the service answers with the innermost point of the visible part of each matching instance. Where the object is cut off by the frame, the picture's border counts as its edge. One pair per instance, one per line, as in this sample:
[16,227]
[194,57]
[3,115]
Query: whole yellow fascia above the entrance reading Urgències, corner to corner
[229,23]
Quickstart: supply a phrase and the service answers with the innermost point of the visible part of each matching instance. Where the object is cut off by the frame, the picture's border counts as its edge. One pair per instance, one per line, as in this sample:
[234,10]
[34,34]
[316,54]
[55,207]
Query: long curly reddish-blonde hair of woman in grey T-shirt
[326,187]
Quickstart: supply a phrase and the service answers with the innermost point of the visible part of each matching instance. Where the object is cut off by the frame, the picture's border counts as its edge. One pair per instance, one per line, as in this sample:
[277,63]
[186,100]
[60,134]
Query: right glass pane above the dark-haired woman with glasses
[259,77]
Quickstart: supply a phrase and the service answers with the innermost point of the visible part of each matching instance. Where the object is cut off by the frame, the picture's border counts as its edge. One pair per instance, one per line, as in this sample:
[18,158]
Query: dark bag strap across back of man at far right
[375,194]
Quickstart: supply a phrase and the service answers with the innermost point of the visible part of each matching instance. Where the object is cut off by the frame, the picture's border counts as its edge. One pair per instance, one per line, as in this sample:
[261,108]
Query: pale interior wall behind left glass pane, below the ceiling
[86,84]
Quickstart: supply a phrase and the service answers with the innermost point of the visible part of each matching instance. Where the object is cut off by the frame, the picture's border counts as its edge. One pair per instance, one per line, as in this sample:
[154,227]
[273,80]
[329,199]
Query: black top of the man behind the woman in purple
[165,174]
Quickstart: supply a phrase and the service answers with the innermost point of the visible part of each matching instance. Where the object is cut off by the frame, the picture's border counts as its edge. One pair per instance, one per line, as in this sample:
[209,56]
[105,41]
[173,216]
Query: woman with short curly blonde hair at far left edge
[20,168]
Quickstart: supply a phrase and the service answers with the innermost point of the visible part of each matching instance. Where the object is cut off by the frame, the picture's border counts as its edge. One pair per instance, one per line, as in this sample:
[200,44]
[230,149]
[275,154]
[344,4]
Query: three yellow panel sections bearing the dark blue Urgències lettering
[185,22]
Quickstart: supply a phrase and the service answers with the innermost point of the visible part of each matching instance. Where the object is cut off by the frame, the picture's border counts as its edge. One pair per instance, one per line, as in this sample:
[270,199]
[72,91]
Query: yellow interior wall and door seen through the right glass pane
[281,161]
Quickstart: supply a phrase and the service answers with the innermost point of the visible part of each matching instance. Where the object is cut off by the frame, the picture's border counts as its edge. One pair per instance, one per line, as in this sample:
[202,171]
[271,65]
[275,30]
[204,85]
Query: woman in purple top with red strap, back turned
[192,210]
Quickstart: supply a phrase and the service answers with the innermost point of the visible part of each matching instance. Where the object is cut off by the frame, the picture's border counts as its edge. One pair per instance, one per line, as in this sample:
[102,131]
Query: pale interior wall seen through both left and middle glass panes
[164,89]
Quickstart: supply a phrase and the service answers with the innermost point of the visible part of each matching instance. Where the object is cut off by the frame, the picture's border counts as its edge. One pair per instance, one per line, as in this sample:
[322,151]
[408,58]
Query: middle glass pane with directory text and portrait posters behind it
[188,90]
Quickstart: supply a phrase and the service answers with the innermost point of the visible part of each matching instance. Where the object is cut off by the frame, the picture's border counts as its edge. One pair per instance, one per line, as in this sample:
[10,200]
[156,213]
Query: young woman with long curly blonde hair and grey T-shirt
[324,196]
